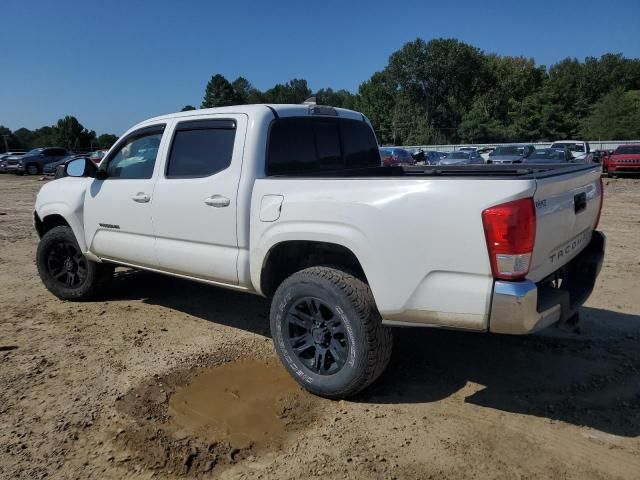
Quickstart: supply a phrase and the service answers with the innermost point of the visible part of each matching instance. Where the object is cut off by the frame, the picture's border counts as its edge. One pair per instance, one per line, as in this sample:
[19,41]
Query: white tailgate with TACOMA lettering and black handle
[566,211]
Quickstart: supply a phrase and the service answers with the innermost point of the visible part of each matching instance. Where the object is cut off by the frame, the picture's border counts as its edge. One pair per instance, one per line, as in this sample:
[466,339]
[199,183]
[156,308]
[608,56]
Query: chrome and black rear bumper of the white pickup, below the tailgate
[519,308]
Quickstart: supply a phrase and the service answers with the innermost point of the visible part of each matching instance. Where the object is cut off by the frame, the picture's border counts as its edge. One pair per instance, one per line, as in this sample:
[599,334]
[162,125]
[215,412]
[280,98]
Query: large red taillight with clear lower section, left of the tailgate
[510,231]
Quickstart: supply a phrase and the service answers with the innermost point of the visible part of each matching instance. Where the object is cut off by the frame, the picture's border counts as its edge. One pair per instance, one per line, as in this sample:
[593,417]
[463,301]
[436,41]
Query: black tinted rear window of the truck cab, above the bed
[303,145]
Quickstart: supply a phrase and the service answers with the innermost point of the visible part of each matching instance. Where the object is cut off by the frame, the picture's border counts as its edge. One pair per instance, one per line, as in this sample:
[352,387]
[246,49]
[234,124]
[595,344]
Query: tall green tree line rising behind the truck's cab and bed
[447,91]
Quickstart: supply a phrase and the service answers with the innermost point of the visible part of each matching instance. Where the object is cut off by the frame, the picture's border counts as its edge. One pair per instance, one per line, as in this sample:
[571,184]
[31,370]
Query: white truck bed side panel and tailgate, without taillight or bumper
[420,239]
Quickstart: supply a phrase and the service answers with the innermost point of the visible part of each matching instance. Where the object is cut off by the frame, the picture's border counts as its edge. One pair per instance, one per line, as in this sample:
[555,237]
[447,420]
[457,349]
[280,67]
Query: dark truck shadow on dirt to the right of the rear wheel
[590,378]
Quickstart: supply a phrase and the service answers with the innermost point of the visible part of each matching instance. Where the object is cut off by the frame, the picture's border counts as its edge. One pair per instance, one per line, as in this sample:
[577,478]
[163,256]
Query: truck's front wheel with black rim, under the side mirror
[65,271]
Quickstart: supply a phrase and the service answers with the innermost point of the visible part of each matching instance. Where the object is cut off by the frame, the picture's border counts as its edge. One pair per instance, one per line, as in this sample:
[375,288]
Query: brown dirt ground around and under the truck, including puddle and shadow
[111,389]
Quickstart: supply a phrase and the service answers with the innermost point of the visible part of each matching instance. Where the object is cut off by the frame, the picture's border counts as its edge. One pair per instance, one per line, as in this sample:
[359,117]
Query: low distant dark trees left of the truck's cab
[67,132]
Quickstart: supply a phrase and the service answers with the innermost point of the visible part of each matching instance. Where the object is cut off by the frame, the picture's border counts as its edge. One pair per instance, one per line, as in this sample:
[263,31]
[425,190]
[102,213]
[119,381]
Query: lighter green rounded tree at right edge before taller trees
[616,116]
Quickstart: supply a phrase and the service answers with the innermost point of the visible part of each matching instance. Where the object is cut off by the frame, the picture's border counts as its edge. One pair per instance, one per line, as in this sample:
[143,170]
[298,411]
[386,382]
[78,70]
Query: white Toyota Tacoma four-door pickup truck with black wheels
[290,202]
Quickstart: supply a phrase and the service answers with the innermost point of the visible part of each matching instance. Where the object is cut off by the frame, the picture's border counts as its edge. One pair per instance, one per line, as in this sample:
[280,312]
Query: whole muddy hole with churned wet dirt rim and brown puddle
[197,421]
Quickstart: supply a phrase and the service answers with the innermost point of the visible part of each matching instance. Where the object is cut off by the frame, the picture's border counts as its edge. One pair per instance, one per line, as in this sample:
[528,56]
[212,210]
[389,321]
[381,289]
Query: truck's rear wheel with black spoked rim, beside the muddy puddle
[328,333]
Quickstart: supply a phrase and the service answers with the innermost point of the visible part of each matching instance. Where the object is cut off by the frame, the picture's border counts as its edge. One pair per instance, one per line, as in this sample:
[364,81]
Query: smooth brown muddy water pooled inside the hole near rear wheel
[246,403]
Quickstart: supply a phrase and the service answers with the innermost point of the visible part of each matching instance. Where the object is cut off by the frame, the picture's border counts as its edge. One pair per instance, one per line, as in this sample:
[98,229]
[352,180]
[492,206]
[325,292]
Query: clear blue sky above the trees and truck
[112,63]
